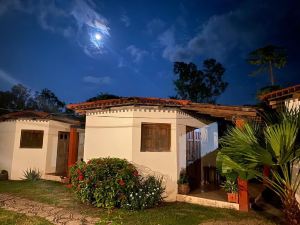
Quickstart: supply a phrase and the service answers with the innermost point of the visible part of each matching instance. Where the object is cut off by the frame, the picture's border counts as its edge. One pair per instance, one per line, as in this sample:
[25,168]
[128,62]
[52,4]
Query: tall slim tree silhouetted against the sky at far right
[266,58]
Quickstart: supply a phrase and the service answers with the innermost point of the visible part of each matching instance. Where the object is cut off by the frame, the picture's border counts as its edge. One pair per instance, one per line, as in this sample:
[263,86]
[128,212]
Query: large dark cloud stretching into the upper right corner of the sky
[239,30]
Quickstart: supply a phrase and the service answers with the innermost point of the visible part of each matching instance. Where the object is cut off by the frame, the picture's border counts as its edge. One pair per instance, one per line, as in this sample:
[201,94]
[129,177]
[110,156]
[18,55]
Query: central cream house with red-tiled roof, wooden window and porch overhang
[160,136]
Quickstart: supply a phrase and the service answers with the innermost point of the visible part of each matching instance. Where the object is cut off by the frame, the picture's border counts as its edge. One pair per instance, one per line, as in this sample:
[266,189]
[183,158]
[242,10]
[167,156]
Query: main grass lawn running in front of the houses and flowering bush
[169,213]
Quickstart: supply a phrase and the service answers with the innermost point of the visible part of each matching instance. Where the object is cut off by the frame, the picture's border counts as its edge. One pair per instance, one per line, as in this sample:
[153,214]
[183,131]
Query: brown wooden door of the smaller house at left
[62,153]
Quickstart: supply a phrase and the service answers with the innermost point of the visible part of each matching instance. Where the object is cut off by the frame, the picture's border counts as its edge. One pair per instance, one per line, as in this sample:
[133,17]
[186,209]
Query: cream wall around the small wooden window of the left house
[25,158]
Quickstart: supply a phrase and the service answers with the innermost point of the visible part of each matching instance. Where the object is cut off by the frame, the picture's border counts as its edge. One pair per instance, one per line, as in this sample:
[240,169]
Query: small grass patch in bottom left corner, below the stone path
[12,218]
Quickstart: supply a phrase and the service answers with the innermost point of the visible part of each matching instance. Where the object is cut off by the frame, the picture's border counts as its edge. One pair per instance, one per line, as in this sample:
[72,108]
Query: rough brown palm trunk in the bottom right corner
[291,209]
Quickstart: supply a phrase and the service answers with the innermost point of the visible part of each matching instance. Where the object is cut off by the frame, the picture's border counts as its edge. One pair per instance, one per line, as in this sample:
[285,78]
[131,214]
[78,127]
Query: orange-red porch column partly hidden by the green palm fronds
[243,184]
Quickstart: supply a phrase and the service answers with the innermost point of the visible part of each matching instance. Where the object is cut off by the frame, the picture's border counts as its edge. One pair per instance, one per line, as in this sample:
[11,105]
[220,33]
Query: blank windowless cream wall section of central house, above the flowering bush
[109,134]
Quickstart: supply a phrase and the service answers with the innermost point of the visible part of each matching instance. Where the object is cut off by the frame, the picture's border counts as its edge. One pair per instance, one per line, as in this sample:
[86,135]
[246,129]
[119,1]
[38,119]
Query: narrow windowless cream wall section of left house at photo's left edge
[7,137]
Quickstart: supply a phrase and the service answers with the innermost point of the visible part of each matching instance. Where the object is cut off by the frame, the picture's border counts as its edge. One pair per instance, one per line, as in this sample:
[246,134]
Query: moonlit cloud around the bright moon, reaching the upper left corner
[77,20]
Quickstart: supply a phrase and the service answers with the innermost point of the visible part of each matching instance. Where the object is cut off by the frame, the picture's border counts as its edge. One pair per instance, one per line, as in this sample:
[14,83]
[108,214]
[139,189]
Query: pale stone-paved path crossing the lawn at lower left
[53,214]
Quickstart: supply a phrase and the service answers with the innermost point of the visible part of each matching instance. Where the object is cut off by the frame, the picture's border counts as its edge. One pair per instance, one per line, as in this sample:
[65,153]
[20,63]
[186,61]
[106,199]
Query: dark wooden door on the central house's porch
[193,156]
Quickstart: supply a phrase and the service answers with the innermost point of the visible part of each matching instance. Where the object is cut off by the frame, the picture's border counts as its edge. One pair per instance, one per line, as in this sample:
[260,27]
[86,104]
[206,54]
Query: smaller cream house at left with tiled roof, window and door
[38,140]
